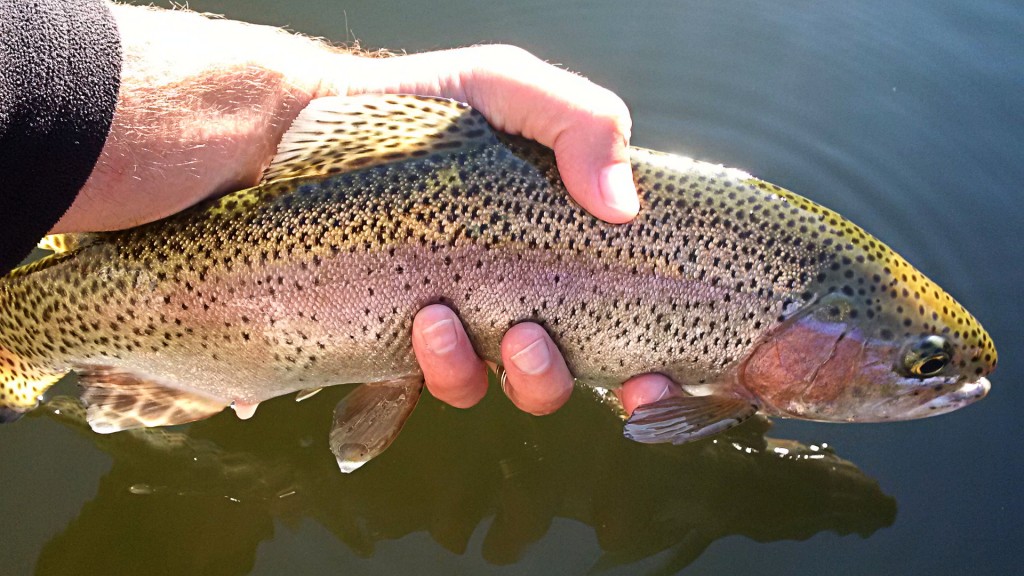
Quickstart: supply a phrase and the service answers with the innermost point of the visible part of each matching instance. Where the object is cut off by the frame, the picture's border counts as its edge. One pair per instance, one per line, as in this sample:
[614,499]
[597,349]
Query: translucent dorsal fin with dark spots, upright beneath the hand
[342,134]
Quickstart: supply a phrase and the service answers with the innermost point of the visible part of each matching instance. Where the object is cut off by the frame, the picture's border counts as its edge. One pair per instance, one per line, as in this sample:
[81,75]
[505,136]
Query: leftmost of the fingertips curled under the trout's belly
[452,371]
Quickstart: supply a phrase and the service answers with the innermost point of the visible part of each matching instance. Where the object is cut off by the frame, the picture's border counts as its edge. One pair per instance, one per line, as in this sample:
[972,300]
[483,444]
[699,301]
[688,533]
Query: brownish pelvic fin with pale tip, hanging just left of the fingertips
[369,420]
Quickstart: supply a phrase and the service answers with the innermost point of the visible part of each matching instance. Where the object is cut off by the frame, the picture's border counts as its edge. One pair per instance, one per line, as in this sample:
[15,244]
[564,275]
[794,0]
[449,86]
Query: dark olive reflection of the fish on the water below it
[217,489]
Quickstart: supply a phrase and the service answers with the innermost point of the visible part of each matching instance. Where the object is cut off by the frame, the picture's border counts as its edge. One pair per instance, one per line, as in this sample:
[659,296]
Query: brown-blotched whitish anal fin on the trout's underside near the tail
[119,401]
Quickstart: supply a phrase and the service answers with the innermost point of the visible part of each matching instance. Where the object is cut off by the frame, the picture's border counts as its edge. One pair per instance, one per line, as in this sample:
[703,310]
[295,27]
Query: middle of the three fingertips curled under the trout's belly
[537,379]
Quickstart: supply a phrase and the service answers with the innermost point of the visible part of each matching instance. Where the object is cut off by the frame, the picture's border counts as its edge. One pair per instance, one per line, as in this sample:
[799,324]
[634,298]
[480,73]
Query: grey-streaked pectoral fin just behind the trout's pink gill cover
[682,420]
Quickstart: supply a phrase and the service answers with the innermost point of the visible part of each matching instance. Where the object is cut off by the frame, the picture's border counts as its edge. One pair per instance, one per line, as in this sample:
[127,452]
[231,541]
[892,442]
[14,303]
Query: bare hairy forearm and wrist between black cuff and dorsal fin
[202,106]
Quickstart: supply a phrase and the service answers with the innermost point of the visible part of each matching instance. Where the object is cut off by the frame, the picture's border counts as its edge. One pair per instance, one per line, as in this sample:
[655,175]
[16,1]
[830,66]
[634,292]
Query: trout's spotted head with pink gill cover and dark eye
[870,339]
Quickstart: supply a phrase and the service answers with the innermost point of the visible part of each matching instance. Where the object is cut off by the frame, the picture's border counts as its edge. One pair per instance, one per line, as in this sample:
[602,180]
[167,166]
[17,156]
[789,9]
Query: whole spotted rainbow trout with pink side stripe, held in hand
[751,298]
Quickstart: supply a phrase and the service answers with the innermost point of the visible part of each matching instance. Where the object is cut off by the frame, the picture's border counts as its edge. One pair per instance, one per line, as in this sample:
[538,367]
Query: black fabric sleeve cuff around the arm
[60,74]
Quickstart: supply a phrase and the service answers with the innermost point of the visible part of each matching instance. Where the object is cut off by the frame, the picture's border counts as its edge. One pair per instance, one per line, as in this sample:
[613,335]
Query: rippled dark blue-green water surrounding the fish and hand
[907,117]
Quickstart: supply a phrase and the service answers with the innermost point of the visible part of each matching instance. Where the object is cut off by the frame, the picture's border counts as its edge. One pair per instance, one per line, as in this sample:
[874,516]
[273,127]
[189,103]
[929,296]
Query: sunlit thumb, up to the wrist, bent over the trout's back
[587,127]
